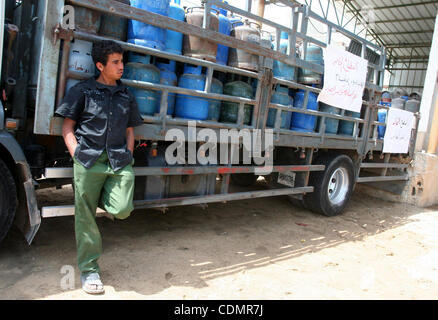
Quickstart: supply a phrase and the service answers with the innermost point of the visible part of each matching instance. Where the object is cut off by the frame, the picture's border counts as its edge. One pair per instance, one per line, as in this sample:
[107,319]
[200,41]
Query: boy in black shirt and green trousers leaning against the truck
[99,119]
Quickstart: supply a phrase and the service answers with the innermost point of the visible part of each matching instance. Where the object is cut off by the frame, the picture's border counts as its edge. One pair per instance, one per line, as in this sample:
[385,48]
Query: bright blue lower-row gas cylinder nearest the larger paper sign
[300,121]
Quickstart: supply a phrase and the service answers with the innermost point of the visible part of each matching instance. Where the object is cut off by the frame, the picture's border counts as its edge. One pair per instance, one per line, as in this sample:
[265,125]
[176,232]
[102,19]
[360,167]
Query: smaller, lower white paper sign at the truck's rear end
[399,126]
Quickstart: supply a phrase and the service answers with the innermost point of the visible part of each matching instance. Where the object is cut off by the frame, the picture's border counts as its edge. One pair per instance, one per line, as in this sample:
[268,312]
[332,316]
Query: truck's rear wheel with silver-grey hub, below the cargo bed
[333,187]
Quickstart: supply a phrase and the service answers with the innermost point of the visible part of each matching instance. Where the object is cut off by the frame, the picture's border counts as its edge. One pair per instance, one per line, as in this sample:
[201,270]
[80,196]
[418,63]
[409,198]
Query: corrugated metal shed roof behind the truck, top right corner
[404,27]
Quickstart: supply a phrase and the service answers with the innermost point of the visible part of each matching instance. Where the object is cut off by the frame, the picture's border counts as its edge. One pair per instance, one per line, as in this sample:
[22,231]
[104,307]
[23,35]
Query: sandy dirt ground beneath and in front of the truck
[249,249]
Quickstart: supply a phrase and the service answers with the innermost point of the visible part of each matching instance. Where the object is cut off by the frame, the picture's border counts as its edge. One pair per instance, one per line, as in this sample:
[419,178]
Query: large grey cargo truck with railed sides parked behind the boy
[316,169]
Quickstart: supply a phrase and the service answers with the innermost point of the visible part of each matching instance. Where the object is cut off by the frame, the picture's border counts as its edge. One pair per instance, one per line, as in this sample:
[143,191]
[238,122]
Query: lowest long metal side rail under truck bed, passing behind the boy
[59,211]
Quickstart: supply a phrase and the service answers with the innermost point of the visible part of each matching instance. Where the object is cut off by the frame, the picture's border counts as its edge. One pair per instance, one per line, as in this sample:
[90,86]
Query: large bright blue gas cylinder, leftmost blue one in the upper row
[144,34]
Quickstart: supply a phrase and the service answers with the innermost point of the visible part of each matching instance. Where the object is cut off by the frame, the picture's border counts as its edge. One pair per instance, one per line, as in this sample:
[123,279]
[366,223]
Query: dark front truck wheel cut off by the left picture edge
[8,199]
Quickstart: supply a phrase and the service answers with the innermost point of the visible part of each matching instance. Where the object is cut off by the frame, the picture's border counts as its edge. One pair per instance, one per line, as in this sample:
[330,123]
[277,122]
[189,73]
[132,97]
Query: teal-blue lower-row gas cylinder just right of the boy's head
[147,100]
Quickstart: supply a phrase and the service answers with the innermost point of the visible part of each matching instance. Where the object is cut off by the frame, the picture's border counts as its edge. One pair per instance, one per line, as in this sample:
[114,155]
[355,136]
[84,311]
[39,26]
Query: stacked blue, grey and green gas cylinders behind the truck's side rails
[150,69]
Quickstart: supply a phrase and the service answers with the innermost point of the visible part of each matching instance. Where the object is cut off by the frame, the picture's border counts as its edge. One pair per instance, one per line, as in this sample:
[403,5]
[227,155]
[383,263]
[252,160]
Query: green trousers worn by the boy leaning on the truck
[99,186]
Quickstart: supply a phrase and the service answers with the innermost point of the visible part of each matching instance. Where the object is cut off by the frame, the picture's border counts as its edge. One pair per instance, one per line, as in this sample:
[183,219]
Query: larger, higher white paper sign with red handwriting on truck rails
[344,79]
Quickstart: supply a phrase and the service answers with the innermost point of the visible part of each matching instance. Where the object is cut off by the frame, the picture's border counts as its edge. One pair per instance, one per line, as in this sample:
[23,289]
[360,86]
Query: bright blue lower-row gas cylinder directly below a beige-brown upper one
[191,107]
